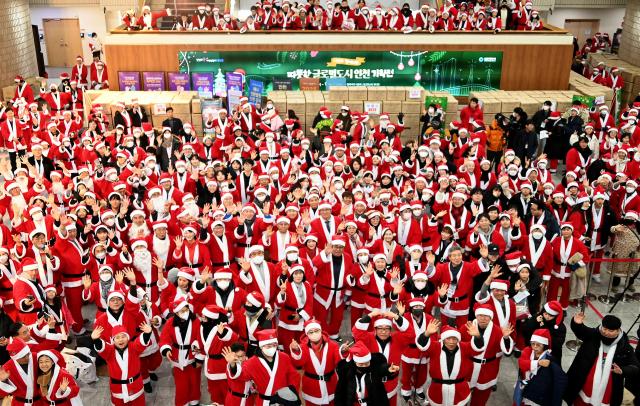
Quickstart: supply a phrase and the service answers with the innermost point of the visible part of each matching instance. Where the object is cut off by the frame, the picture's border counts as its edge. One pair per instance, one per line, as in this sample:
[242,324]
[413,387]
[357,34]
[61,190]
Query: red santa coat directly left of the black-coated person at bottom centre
[316,365]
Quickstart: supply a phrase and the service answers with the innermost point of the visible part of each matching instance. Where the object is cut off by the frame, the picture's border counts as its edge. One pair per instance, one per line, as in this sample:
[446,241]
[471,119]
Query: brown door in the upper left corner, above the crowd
[62,38]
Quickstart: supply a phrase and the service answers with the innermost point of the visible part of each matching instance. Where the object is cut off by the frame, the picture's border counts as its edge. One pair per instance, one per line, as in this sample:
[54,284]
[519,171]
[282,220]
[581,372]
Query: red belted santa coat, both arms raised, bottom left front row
[124,369]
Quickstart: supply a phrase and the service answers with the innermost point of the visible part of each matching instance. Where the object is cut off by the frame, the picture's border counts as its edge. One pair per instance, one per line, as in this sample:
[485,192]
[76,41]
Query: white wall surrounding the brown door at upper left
[92,19]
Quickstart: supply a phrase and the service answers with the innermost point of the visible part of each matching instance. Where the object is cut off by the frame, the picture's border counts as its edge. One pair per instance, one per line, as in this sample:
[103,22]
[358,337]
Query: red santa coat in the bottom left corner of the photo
[21,384]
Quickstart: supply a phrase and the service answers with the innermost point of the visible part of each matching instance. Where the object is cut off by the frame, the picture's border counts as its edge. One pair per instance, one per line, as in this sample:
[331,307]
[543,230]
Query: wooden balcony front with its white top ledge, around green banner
[537,60]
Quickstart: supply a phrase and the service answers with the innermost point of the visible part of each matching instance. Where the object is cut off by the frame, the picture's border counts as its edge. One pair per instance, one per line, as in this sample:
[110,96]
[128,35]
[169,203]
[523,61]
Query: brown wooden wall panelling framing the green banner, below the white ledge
[524,67]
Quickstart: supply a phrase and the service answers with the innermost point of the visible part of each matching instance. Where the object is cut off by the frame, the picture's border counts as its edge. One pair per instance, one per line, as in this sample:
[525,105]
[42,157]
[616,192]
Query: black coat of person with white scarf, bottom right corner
[587,354]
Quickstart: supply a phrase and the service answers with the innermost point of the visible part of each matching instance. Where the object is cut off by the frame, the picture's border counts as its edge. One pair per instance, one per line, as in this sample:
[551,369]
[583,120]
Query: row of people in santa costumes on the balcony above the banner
[314,15]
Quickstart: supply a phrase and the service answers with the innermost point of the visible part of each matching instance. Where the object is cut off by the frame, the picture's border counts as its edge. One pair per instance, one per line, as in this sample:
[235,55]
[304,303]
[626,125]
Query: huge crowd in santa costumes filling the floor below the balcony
[236,257]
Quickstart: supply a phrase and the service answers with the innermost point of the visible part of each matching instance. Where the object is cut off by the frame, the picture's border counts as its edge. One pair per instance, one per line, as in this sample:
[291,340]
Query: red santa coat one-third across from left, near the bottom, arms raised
[210,347]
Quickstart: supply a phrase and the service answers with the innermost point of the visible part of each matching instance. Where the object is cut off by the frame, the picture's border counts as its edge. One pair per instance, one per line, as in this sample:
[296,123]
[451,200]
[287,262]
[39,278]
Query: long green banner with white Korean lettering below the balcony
[455,72]
